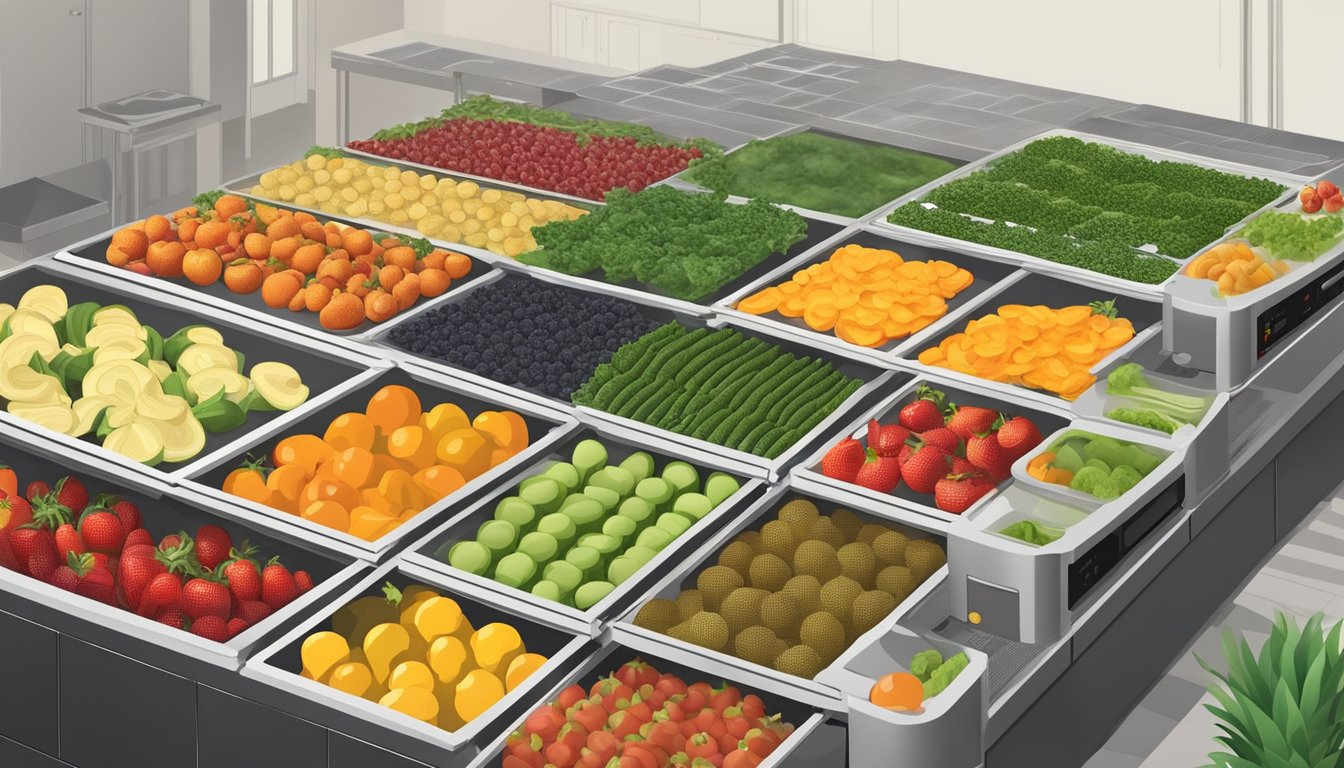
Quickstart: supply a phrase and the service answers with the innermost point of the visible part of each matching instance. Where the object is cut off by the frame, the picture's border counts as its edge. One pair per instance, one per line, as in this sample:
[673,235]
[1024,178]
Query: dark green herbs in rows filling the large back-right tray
[1092,206]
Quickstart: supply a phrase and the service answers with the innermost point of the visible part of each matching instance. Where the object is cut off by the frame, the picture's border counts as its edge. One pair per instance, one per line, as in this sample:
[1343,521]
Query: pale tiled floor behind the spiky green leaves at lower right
[1171,728]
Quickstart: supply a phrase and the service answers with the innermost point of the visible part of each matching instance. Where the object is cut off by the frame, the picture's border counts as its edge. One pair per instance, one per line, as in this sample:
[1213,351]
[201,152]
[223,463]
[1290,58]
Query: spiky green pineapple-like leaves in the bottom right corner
[1284,709]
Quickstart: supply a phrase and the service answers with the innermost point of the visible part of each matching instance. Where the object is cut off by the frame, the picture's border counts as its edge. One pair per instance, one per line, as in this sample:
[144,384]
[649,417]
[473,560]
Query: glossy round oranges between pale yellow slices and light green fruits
[369,473]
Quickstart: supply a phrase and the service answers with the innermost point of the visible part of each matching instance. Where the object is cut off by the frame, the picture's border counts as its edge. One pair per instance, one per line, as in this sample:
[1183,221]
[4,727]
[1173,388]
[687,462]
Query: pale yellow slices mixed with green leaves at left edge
[95,371]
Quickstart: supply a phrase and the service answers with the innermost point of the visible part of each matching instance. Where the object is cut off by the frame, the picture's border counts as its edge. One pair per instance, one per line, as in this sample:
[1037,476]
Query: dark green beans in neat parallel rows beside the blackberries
[721,387]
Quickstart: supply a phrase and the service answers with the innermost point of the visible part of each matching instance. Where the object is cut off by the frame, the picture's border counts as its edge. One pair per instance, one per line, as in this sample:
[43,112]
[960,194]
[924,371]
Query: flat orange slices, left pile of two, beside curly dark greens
[868,297]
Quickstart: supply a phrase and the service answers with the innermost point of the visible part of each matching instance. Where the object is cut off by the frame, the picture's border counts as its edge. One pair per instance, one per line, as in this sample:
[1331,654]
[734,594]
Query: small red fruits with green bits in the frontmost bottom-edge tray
[638,718]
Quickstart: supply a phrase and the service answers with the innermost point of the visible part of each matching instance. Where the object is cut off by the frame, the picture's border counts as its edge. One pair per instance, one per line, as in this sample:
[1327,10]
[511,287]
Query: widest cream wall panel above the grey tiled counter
[1179,54]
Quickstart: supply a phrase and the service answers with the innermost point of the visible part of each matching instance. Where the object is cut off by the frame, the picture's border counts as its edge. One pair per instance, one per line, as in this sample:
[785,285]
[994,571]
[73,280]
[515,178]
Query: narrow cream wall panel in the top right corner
[1311,103]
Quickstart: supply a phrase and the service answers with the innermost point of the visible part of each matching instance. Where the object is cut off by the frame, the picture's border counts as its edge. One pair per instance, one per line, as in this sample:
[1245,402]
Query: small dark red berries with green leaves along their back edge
[542,149]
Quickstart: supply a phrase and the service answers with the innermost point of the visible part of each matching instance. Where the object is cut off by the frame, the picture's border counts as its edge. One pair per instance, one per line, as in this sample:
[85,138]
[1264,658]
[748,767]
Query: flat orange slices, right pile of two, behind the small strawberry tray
[1038,348]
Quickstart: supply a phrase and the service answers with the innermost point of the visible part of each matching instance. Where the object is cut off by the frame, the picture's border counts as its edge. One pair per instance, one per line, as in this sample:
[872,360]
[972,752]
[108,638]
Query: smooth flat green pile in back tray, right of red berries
[819,173]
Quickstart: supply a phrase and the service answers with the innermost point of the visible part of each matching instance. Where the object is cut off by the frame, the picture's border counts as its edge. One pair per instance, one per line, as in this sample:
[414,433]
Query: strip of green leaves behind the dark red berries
[486,108]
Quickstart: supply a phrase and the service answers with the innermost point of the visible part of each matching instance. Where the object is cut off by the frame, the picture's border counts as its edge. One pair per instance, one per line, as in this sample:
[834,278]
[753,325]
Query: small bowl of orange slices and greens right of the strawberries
[1101,467]
